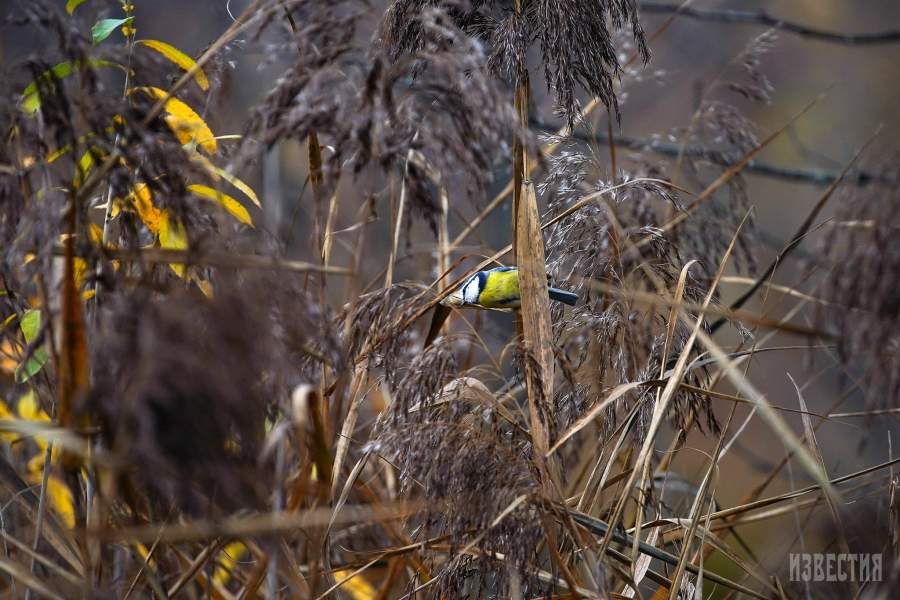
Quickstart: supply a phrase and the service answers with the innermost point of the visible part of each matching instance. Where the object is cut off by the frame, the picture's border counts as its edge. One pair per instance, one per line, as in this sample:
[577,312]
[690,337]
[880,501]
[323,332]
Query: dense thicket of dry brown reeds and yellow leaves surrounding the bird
[191,405]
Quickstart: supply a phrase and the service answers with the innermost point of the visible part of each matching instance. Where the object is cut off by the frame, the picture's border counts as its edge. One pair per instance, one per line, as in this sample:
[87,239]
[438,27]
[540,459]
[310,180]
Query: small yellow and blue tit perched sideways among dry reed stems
[498,288]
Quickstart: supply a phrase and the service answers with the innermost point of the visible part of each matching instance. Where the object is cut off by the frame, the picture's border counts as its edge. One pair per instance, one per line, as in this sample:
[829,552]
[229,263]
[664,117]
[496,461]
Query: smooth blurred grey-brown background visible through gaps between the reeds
[860,86]
